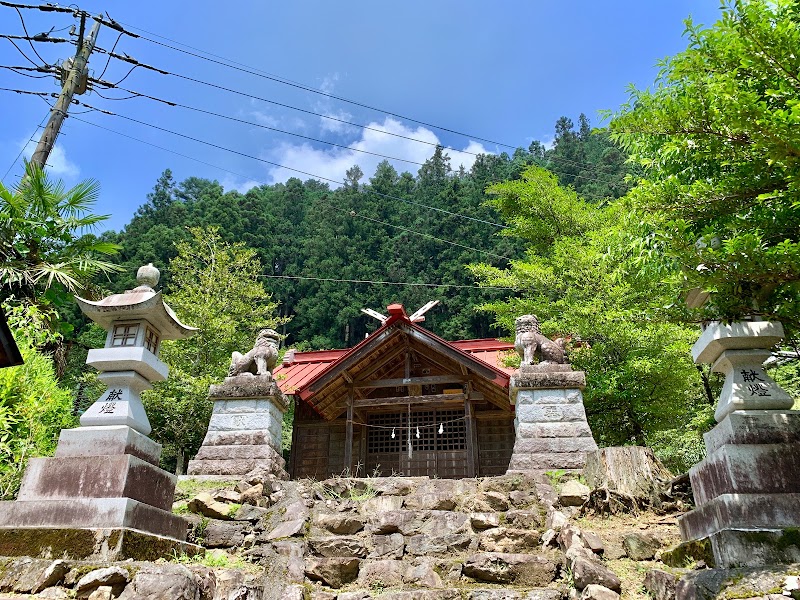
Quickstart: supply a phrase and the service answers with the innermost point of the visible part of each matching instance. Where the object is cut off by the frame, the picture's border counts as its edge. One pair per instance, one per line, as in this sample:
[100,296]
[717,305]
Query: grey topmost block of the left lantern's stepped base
[102,441]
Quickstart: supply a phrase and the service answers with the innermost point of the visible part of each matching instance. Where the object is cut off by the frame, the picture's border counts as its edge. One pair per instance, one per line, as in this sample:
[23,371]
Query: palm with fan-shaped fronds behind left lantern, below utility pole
[44,236]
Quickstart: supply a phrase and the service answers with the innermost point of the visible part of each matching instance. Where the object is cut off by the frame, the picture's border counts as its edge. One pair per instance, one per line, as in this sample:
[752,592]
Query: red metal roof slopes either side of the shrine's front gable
[300,368]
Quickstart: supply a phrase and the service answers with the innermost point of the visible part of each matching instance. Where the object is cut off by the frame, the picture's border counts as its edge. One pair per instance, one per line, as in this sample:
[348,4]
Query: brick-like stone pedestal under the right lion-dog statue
[550,425]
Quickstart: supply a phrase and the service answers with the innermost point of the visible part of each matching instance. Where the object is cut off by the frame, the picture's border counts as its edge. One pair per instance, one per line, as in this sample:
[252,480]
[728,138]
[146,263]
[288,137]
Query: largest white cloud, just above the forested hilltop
[333,163]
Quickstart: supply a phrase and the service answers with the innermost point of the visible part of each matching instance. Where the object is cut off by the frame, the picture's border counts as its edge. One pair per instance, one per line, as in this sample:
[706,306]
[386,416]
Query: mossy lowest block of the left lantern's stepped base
[91,544]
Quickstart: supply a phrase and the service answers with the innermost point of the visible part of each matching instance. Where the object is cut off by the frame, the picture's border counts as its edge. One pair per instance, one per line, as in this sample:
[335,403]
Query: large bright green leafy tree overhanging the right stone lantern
[718,138]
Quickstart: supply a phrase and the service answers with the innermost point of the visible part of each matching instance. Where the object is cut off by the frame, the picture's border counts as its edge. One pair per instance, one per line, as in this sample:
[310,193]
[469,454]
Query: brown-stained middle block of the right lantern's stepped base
[747,469]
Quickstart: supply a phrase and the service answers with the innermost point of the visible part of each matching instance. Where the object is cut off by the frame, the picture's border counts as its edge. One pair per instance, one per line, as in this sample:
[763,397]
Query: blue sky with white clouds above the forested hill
[503,71]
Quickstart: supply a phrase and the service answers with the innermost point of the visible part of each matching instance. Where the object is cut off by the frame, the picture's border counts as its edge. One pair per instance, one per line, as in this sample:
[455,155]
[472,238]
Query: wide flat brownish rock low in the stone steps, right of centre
[521,569]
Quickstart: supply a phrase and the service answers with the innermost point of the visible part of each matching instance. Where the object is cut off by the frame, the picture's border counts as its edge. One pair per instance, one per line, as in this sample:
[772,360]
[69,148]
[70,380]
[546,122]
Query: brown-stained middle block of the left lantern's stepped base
[118,477]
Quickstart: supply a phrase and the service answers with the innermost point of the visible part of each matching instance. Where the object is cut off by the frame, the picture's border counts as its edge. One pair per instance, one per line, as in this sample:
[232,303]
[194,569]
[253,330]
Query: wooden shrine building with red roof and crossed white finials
[402,402]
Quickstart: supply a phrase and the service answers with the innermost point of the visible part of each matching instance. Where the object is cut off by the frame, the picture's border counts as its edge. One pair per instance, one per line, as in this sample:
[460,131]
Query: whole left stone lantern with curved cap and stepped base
[103,495]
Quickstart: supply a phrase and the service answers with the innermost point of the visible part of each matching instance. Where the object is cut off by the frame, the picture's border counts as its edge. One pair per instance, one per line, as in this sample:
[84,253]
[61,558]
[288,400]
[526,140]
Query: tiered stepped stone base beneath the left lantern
[105,482]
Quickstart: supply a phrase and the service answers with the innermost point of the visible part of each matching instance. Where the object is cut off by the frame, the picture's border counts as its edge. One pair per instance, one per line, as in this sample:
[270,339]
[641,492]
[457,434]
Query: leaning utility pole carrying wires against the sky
[75,83]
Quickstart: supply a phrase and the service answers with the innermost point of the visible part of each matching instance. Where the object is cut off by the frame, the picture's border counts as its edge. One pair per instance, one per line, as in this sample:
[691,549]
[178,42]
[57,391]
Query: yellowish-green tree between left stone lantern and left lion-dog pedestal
[215,286]
